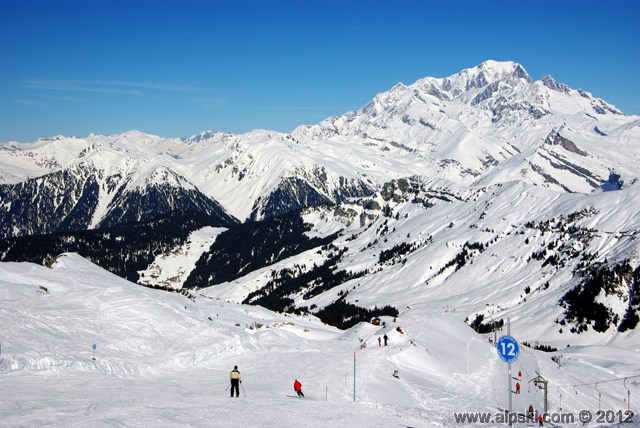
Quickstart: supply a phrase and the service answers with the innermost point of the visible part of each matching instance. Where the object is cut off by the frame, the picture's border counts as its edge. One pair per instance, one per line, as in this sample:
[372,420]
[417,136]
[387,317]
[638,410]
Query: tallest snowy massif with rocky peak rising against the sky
[486,125]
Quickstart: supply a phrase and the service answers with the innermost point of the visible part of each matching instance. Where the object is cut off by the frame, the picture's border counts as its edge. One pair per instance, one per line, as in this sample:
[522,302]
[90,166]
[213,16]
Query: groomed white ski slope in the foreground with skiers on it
[163,359]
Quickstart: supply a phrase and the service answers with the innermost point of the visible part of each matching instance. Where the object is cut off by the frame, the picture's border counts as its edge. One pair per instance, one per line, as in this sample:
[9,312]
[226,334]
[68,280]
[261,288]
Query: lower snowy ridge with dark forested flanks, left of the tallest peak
[134,177]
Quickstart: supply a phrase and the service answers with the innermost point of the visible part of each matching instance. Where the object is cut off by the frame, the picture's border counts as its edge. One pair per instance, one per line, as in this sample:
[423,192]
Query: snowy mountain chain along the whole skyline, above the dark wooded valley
[485,125]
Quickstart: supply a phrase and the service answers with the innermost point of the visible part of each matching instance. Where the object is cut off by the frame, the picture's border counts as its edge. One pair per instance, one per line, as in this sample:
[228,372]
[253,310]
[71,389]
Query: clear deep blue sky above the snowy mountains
[175,68]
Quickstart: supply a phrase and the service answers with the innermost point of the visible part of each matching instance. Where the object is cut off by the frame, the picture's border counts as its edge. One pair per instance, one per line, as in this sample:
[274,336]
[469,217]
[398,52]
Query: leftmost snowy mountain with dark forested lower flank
[97,182]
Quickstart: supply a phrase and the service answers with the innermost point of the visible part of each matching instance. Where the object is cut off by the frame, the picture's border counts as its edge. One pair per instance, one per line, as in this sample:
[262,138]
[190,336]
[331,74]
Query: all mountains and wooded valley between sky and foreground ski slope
[487,188]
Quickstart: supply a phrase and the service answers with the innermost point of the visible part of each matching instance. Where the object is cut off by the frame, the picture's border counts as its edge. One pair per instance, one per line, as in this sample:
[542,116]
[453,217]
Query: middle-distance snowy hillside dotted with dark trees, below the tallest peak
[563,266]
